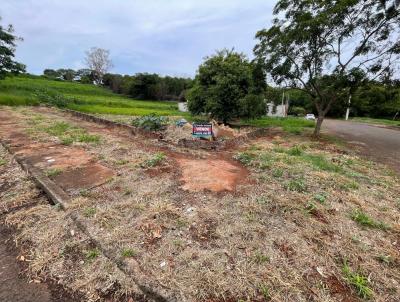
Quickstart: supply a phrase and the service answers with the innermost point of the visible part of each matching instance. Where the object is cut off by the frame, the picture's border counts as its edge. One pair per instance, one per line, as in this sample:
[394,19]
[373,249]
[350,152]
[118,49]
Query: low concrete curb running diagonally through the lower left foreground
[59,197]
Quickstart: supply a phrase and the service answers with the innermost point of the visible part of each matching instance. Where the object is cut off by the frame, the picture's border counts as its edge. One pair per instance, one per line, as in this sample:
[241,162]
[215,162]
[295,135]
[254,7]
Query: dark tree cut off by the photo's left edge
[7,50]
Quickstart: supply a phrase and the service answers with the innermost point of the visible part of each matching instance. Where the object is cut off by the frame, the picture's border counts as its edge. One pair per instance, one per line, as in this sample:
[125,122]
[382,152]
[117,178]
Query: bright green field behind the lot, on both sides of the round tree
[23,91]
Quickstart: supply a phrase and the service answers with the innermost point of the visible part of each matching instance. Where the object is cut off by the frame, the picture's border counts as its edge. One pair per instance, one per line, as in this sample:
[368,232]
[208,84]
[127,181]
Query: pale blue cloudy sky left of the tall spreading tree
[162,36]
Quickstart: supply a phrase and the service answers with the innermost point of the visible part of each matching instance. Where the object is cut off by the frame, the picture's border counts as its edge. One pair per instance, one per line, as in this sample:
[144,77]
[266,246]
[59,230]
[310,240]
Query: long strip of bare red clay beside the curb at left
[79,169]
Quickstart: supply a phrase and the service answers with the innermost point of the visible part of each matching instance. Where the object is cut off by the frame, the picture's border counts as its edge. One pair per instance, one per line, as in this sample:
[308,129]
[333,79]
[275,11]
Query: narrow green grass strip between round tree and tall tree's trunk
[288,124]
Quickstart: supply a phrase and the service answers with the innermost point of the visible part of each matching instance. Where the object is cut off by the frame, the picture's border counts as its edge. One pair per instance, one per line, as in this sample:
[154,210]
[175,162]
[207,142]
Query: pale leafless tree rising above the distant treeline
[98,60]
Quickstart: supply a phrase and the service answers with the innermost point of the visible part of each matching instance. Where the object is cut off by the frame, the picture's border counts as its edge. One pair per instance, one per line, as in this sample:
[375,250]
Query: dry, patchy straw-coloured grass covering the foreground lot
[304,220]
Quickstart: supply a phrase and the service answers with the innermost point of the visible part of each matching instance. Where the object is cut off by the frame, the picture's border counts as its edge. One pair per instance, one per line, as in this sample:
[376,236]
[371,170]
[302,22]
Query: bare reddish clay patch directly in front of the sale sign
[216,175]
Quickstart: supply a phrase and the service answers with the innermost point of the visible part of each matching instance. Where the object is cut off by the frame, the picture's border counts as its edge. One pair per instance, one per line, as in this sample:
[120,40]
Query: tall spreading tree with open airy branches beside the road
[315,42]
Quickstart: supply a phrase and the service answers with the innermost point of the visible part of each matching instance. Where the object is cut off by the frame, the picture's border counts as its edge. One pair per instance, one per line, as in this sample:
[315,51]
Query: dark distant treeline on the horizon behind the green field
[143,86]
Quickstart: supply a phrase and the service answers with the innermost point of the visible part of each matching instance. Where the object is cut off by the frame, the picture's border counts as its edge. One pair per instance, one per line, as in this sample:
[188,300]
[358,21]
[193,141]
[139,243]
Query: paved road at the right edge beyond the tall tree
[378,143]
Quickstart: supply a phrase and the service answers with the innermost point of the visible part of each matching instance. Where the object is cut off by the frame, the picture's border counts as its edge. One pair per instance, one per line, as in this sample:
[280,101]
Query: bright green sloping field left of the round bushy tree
[20,91]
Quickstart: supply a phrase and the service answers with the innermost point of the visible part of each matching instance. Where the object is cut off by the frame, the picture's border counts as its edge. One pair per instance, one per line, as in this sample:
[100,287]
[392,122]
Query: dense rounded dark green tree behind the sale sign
[227,85]
